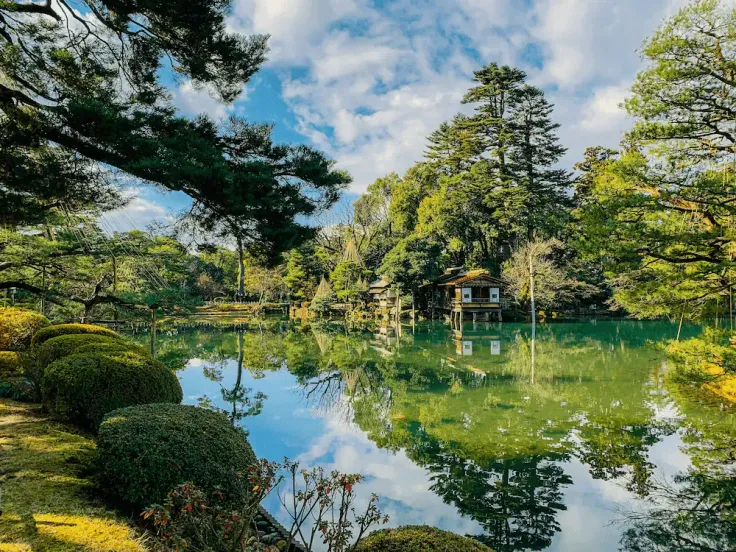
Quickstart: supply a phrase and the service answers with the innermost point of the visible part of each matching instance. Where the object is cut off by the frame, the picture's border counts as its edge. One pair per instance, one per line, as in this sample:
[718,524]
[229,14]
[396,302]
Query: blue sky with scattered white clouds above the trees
[367,80]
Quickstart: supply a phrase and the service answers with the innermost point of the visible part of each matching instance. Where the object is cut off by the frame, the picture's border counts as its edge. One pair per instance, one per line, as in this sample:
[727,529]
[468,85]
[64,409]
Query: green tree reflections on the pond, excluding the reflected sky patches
[496,418]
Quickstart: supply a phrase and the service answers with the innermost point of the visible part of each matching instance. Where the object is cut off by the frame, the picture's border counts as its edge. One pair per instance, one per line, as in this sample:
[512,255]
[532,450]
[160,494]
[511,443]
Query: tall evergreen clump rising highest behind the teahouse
[494,171]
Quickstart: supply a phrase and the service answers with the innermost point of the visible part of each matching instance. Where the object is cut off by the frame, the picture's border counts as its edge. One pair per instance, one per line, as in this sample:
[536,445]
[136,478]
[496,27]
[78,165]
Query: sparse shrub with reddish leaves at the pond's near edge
[320,507]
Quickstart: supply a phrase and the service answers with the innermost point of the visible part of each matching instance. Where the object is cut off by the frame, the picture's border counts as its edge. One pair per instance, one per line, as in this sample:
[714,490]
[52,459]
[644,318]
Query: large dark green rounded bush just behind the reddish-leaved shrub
[145,451]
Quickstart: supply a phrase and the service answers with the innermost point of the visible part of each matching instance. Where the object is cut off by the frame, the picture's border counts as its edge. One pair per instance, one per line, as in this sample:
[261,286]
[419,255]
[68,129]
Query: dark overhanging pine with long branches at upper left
[90,85]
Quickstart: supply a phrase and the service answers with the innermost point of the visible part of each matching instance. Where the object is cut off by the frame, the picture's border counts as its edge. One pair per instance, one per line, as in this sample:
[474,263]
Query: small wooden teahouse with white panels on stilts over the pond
[462,294]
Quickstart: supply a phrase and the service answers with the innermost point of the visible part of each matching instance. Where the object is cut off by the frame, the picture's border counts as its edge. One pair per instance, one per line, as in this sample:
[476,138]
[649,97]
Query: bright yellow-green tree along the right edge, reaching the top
[660,216]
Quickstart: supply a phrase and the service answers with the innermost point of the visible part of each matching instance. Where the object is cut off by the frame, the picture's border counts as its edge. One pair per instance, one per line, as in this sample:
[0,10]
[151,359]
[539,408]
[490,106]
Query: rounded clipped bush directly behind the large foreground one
[82,388]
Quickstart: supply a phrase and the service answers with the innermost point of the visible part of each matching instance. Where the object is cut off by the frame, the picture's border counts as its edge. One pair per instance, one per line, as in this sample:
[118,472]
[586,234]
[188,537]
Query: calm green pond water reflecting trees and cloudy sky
[467,433]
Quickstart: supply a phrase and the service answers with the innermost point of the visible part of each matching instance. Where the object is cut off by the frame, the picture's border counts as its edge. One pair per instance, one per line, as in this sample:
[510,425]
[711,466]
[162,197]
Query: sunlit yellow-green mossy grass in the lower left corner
[47,496]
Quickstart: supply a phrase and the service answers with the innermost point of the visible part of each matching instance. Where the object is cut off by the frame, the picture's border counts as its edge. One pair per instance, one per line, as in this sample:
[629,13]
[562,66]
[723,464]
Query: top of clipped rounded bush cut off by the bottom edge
[418,538]
